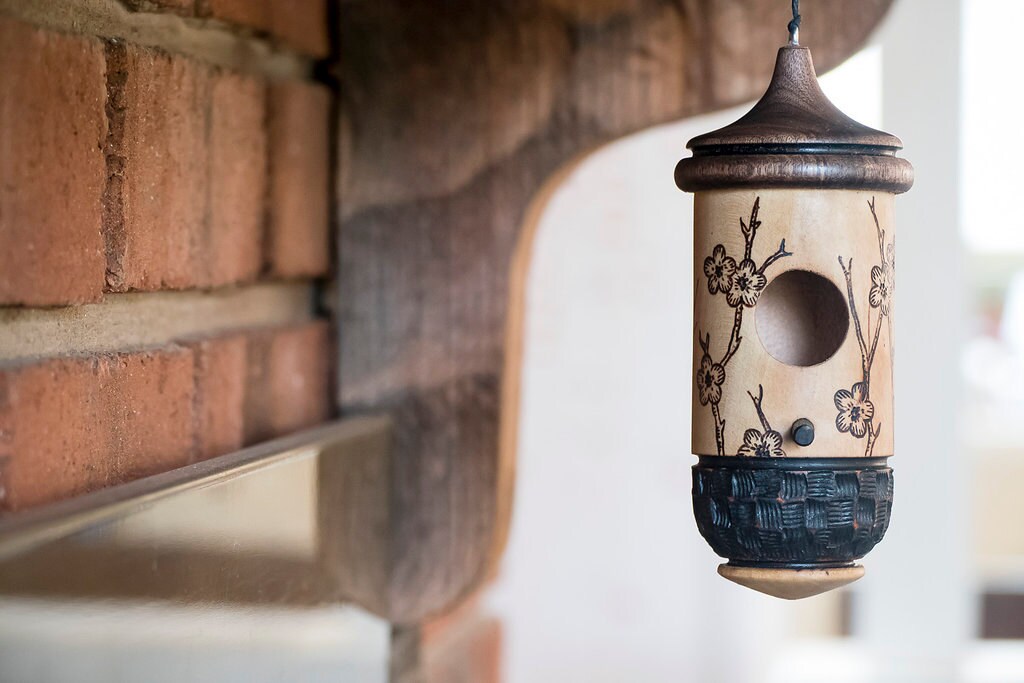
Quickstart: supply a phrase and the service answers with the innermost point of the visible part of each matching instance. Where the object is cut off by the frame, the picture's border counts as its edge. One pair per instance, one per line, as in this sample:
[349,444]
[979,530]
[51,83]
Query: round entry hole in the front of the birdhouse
[802,319]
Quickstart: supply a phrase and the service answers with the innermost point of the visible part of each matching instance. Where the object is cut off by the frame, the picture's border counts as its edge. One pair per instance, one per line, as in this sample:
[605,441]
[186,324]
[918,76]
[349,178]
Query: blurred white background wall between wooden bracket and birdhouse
[607,578]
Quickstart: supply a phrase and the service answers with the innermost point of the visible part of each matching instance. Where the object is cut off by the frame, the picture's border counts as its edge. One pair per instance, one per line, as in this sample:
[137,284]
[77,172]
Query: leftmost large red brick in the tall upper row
[53,125]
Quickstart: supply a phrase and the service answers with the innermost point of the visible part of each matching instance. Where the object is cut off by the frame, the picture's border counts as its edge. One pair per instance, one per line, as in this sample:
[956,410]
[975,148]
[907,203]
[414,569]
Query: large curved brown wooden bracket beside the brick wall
[453,120]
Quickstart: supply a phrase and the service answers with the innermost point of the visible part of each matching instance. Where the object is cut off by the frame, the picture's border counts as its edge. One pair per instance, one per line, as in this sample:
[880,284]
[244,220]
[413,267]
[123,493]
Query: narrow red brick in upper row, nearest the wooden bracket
[300,153]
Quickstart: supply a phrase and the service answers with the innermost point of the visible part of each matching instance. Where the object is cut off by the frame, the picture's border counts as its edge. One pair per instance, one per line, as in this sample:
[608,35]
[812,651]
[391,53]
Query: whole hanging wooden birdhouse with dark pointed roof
[794,320]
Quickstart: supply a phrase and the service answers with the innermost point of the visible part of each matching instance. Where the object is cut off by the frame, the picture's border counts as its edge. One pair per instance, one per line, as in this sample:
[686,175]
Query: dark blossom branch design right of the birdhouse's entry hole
[857,412]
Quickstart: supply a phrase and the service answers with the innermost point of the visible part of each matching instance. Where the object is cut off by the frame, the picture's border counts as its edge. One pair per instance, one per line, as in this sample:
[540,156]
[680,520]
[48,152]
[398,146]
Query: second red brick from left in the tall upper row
[156,205]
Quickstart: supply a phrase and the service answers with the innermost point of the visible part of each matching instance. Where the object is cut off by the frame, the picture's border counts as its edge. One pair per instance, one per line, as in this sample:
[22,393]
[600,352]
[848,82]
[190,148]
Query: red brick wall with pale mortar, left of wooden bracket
[155,155]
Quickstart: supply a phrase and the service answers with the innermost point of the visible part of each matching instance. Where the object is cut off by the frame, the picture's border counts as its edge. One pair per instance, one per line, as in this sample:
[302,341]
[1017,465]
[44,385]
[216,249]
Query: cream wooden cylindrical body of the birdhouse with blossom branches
[814,278]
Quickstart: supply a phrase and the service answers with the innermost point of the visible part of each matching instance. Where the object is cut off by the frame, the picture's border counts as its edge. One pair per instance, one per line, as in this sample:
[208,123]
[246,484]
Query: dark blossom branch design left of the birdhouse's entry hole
[742,284]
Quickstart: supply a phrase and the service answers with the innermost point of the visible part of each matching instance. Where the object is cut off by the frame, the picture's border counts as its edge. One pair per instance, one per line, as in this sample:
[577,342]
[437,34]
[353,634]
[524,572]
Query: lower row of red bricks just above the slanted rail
[72,425]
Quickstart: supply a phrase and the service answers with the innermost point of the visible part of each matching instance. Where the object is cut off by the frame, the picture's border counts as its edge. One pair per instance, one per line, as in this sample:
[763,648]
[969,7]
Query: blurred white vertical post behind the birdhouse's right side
[918,613]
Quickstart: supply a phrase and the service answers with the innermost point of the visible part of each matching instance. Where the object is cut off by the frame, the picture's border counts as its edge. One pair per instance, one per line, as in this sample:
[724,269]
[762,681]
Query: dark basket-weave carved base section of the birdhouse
[792,514]
